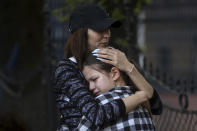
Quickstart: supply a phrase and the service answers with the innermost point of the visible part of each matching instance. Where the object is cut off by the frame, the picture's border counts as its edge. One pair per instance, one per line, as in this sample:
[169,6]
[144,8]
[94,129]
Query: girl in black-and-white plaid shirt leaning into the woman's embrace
[109,83]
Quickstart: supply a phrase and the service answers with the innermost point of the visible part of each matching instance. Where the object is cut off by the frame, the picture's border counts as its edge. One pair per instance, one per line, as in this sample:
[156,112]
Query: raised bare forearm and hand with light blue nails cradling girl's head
[117,58]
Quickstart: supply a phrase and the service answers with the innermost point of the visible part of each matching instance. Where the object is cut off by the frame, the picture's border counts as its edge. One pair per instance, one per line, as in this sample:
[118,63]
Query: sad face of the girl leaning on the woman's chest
[99,82]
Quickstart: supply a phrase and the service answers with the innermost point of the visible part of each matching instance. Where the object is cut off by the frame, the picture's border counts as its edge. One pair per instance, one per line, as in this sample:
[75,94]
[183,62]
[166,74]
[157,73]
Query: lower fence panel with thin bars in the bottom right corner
[176,120]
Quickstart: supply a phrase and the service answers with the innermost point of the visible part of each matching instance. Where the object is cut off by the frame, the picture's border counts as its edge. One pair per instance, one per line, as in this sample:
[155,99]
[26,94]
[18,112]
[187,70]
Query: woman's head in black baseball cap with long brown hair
[89,25]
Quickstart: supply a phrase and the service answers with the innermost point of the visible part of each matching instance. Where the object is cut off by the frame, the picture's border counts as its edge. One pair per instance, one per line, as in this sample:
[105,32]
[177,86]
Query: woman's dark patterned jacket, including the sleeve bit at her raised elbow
[75,100]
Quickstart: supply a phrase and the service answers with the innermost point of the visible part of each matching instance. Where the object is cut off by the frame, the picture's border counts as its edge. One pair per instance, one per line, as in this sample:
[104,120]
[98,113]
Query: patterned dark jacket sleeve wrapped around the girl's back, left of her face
[71,83]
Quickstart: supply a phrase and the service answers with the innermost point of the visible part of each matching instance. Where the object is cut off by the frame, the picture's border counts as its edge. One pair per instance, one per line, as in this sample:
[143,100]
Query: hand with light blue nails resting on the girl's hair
[114,57]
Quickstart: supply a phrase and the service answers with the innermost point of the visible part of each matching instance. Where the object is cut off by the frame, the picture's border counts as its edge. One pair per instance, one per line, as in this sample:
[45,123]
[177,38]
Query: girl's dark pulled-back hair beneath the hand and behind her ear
[91,60]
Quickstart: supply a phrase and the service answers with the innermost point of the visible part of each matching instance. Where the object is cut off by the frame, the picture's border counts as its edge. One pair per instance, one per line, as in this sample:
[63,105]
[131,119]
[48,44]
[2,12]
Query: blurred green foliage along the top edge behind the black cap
[115,8]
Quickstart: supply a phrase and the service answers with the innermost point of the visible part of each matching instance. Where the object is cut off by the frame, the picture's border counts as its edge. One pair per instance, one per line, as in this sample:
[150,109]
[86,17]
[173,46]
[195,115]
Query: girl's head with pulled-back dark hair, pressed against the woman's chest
[102,77]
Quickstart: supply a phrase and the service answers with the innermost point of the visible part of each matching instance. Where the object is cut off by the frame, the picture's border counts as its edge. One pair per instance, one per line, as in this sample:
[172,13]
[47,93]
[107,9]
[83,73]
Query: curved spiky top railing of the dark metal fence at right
[167,81]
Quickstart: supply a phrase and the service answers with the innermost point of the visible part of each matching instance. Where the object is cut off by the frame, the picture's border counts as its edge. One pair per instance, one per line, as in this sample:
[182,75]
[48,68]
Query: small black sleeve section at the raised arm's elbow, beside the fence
[156,104]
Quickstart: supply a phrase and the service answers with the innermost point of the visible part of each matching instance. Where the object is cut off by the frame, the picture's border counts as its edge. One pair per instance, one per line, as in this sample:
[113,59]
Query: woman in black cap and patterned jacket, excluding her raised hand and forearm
[89,26]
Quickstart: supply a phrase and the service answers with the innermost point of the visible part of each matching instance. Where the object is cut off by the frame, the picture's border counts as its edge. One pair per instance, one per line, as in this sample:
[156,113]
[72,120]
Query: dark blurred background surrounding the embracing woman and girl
[159,35]
